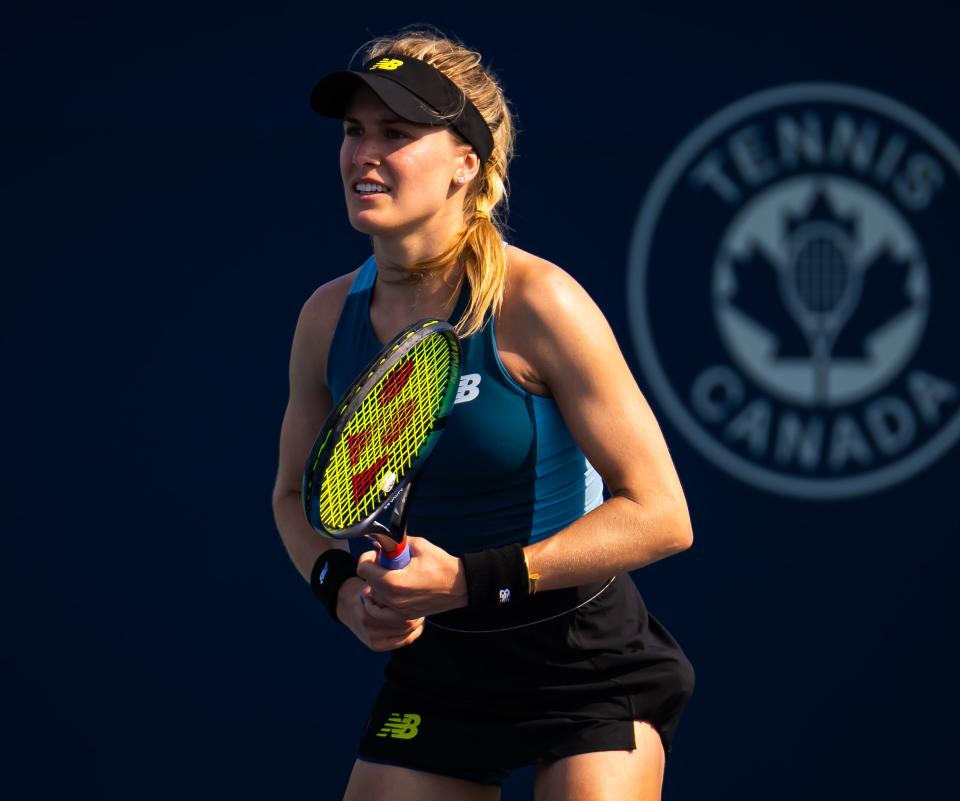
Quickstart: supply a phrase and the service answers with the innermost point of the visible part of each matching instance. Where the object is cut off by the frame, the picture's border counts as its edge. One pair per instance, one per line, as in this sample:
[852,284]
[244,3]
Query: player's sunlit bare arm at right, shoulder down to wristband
[572,350]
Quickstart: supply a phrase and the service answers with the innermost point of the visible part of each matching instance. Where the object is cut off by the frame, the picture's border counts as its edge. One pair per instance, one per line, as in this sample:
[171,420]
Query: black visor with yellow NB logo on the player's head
[413,90]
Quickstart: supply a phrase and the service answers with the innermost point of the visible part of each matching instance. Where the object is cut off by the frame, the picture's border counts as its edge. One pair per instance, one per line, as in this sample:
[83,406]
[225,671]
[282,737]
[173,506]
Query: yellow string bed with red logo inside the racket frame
[386,437]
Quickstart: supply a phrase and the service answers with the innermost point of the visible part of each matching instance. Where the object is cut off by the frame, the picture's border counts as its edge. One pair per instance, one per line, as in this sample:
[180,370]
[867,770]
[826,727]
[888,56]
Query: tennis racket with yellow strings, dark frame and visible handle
[377,437]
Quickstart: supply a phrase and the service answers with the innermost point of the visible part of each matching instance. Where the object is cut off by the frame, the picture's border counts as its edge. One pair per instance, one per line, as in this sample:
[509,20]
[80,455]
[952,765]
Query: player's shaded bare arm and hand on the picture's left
[309,404]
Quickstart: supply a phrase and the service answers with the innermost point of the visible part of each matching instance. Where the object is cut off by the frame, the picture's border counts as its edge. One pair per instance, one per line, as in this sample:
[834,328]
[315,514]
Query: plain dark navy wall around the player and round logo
[169,202]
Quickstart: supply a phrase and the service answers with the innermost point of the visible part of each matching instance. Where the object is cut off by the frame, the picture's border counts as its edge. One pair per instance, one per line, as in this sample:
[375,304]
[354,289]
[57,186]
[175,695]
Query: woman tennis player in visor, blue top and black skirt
[516,636]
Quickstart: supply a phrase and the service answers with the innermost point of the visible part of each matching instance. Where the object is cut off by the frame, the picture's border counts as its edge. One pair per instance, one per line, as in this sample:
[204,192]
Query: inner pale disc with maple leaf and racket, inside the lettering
[852,284]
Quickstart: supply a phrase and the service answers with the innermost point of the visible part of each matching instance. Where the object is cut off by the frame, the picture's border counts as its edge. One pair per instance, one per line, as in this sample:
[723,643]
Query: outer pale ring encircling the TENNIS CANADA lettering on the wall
[642,237]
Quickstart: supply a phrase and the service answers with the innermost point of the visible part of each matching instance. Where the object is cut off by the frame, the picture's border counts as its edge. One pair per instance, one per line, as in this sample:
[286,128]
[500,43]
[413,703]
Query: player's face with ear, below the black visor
[416,165]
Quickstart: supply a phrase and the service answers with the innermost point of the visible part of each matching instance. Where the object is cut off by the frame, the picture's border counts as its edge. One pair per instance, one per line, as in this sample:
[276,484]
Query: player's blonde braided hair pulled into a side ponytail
[479,247]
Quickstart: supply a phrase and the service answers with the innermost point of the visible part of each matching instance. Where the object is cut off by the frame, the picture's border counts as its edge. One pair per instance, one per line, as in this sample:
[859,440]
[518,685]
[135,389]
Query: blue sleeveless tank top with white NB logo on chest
[505,470]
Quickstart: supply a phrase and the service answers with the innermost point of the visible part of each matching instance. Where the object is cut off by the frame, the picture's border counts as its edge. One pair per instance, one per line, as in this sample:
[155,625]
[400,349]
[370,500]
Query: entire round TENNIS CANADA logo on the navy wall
[793,285]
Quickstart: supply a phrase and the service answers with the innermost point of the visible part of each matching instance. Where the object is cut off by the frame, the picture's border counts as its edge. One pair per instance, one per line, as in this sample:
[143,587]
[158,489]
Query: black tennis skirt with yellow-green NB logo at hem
[477,696]
